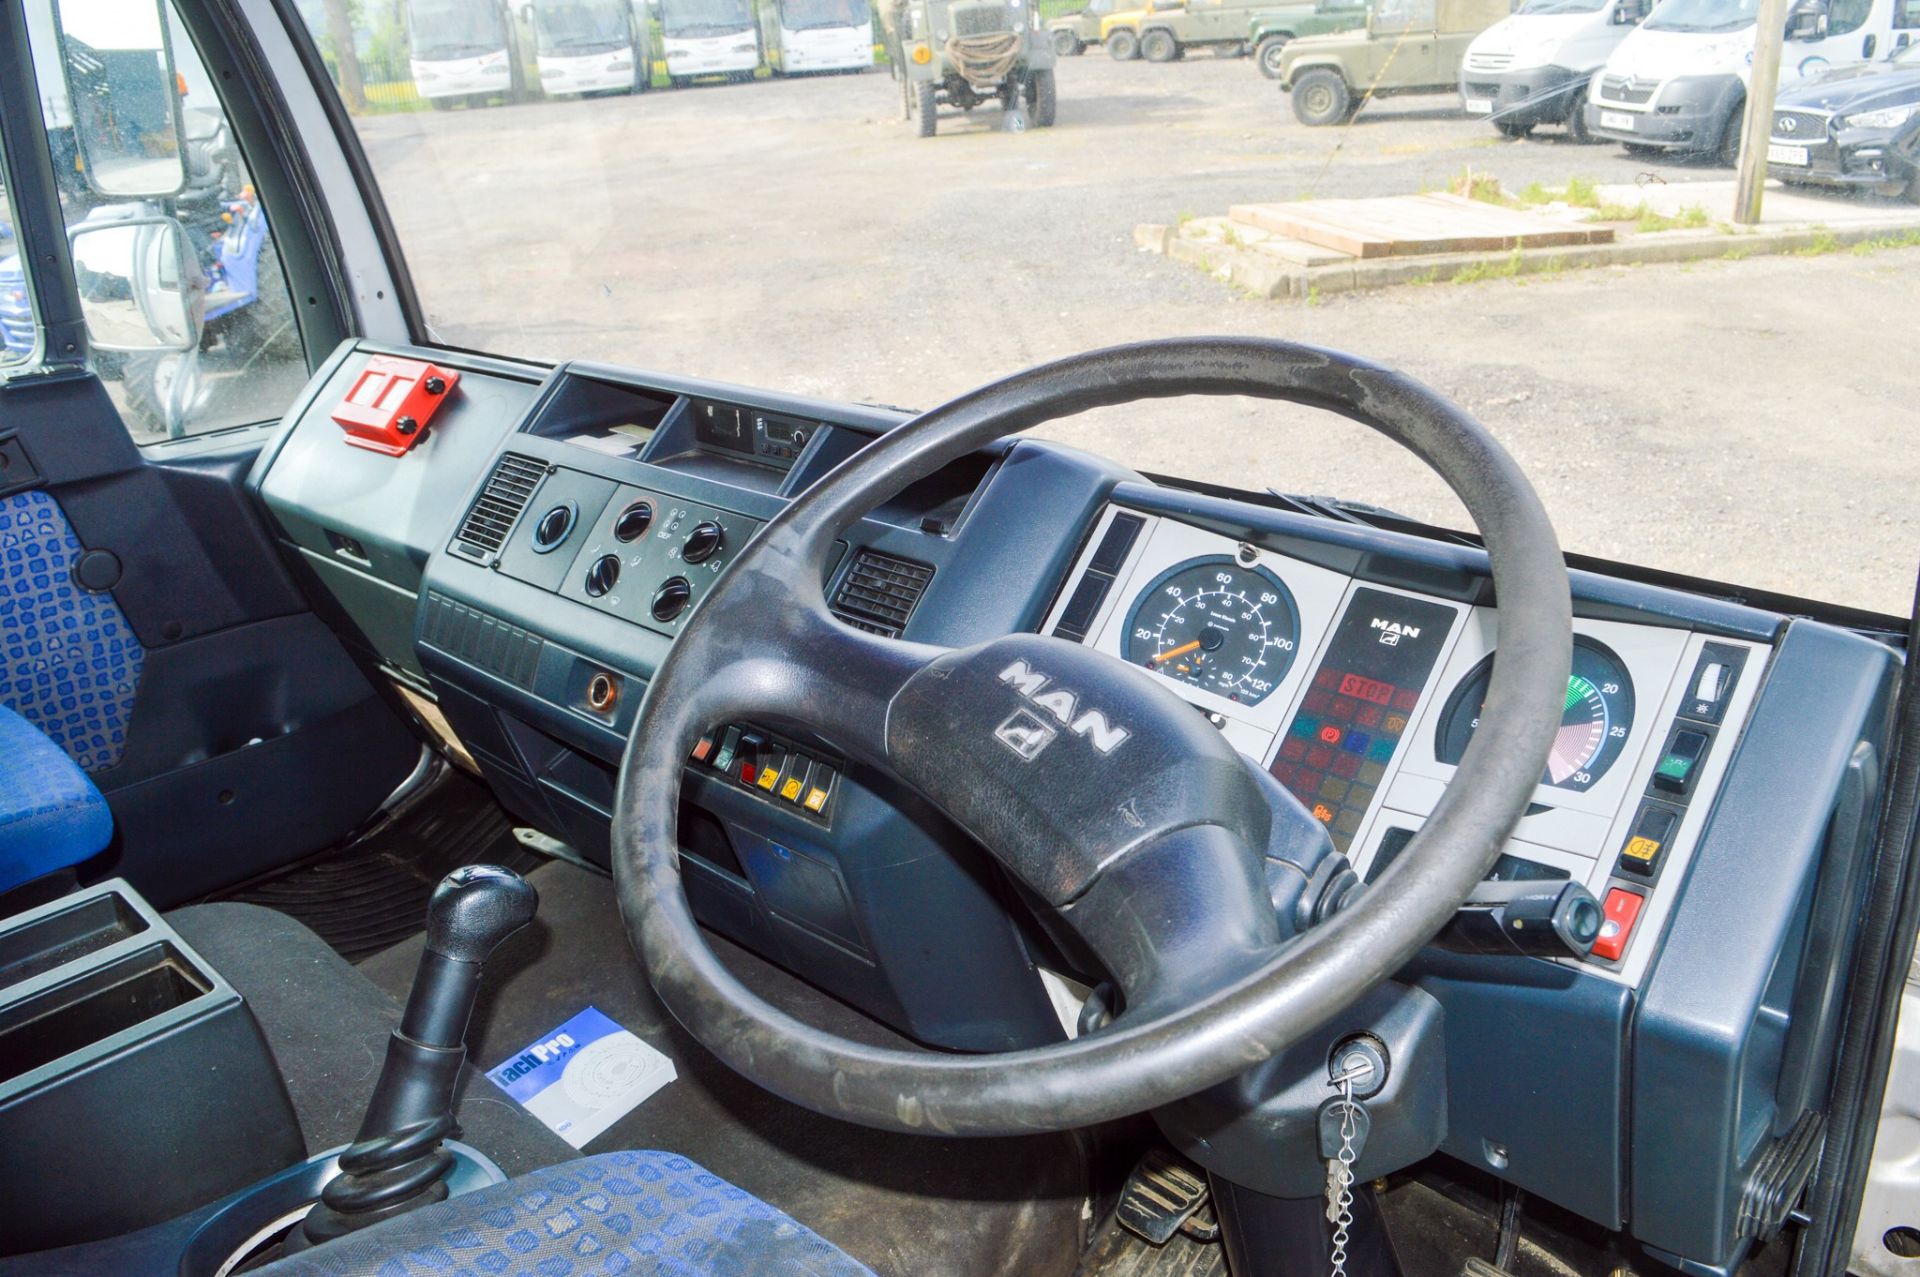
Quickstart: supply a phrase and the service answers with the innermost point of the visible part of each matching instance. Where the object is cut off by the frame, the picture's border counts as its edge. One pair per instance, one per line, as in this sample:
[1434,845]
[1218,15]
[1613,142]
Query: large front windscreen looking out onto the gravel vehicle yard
[1552,245]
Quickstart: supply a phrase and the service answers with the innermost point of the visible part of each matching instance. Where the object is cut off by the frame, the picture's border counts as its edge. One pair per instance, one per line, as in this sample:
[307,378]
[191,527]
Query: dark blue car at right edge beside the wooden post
[1852,128]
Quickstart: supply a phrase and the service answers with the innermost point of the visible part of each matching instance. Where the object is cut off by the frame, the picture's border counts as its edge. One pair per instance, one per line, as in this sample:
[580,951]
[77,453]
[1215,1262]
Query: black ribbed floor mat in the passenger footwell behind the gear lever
[373,896]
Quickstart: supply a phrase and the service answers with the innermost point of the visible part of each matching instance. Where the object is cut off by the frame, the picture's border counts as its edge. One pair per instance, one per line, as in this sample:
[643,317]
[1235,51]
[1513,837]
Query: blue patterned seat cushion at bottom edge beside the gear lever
[631,1215]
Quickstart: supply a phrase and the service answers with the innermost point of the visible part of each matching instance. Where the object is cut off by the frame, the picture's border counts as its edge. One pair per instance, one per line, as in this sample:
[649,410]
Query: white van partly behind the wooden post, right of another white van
[1681,80]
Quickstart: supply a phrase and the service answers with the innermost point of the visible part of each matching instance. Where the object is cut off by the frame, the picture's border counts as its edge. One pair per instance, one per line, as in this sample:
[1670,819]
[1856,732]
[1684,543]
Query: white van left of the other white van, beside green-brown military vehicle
[1535,68]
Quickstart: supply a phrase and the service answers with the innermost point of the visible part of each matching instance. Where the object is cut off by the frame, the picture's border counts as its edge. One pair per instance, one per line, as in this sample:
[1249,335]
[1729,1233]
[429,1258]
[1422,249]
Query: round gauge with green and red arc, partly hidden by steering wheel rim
[1595,723]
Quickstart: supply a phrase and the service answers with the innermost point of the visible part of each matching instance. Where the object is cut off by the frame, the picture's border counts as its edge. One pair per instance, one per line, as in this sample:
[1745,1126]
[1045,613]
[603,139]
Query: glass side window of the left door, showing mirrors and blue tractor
[197,331]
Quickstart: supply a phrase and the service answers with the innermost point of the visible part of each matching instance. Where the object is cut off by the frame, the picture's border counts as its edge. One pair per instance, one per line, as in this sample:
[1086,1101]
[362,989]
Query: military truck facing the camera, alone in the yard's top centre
[971,53]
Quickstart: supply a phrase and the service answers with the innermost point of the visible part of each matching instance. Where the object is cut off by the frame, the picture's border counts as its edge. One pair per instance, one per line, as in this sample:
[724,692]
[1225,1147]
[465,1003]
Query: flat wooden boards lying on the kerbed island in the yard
[1414,226]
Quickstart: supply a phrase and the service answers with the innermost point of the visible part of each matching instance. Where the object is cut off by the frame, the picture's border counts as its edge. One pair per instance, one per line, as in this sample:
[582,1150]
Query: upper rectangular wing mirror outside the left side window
[124,95]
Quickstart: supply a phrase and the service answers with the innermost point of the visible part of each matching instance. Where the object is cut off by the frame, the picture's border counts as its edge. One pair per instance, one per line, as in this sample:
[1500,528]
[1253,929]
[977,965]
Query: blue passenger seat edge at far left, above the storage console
[51,815]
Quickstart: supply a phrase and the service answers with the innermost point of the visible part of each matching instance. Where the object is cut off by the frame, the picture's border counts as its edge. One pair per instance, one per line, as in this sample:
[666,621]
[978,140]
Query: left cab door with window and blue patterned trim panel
[153,343]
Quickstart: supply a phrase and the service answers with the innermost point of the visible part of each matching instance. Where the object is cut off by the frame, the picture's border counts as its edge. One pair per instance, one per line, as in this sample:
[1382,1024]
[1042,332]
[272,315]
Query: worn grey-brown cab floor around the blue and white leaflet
[901,1205]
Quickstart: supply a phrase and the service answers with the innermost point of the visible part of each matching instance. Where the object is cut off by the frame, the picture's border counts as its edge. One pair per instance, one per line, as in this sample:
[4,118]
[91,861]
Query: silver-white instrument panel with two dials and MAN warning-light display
[1362,698]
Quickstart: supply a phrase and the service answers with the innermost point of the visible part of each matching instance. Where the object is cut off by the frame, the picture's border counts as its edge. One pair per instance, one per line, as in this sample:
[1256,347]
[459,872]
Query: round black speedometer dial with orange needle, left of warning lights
[1216,625]
